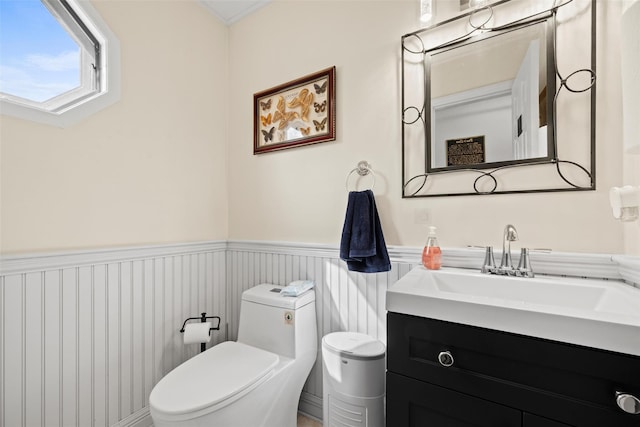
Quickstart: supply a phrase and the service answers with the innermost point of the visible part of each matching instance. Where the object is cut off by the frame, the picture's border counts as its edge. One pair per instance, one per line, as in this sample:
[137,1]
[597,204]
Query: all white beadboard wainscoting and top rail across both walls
[86,335]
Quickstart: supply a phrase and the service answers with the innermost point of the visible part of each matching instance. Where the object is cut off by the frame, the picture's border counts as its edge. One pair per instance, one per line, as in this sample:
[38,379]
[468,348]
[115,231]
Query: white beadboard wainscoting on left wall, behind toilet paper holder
[85,336]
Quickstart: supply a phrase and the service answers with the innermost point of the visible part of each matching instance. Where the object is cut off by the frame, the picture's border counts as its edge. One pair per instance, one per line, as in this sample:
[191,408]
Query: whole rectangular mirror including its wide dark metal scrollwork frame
[484,97]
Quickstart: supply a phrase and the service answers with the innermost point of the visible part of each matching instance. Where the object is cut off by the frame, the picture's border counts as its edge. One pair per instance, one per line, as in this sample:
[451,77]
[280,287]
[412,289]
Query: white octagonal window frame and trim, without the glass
[101,86]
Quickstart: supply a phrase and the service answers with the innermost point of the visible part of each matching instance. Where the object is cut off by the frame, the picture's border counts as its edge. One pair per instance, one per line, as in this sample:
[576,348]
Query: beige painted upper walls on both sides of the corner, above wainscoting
[146,170]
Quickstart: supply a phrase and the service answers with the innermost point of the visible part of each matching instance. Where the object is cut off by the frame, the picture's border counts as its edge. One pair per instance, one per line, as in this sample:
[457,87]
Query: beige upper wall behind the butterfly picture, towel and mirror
[300,195]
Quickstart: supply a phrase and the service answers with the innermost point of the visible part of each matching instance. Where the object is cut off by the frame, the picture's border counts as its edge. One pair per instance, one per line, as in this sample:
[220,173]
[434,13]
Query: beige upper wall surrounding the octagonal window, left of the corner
[149,169]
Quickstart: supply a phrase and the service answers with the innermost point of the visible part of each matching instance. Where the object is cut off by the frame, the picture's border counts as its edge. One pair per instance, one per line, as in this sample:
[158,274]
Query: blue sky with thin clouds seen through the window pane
[38,58]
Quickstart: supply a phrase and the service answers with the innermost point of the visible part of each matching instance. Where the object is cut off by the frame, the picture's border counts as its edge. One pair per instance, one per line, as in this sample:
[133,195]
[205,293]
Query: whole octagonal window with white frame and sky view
[53,61]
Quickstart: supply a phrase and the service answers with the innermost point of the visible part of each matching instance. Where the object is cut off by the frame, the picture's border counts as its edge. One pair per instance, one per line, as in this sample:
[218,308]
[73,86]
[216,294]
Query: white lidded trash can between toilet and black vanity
[353,380]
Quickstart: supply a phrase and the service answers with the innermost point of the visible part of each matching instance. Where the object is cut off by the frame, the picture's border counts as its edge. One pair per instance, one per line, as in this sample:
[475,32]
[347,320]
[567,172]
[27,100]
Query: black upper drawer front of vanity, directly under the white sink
[540,376]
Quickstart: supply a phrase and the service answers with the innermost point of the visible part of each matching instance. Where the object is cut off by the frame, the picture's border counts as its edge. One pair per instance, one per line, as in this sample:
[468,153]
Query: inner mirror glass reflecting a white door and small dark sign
[488,108]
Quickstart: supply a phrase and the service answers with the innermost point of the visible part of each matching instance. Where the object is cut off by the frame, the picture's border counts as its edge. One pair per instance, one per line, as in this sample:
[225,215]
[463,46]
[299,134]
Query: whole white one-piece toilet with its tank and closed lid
[253,382]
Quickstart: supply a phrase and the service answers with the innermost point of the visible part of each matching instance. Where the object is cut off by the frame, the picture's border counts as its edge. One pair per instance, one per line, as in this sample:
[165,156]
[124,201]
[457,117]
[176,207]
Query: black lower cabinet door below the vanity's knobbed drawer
[418,404]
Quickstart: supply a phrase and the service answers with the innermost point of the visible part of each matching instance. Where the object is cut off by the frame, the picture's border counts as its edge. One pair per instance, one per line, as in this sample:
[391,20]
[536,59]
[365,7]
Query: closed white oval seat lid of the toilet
[212,379]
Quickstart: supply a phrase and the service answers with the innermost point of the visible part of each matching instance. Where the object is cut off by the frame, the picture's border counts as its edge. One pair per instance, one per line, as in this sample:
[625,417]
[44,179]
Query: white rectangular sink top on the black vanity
[595,313]
